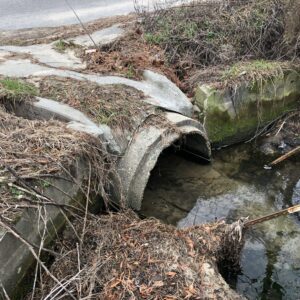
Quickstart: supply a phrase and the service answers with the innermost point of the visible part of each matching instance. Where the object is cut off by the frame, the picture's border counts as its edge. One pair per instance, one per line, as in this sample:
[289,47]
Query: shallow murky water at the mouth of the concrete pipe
[184,193]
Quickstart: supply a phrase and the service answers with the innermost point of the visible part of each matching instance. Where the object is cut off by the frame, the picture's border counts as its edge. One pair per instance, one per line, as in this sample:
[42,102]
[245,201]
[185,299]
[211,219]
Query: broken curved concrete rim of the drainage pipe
[135,166]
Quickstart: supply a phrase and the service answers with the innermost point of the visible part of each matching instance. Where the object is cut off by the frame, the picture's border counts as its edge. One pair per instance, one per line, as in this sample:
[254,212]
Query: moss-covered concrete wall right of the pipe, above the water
[232,114]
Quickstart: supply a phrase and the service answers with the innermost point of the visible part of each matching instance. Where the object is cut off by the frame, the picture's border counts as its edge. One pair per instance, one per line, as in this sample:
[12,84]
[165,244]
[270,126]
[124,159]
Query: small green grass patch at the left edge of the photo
[16,89]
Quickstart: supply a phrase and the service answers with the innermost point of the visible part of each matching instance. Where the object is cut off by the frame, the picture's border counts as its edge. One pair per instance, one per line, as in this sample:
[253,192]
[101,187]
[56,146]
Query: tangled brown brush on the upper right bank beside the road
[201,34]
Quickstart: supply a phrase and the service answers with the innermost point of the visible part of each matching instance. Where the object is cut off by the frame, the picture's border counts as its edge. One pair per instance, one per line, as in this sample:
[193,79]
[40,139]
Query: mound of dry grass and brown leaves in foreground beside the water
[122,257]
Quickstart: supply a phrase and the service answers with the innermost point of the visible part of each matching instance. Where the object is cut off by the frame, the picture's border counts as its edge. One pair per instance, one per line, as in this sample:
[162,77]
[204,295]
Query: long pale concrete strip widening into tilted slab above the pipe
[161,92]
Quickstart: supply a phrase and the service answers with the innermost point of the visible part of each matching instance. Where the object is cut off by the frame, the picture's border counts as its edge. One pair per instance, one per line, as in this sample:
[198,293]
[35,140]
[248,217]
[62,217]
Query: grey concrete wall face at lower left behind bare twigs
[16,260]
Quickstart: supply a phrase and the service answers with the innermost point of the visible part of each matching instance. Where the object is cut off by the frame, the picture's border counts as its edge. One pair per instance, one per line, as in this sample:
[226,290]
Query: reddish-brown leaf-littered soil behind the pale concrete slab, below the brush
[129,56]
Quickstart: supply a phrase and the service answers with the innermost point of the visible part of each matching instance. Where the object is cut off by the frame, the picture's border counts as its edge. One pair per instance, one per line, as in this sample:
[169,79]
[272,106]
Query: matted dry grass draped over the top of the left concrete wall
[32,151]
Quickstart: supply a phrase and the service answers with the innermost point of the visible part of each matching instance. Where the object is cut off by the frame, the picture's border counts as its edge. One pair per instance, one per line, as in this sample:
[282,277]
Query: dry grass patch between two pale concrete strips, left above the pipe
[114,105]
